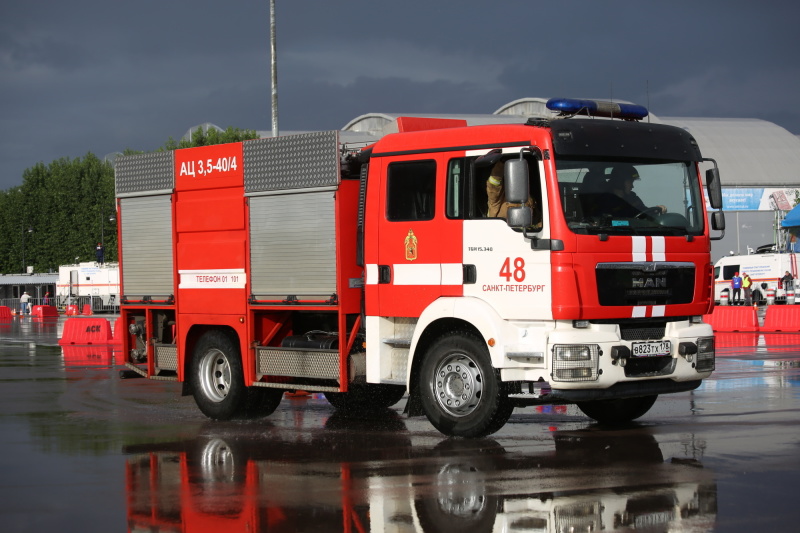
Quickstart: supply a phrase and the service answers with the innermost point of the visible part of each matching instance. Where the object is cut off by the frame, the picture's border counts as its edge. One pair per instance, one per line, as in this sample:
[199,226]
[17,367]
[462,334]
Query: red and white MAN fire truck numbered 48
[367,272]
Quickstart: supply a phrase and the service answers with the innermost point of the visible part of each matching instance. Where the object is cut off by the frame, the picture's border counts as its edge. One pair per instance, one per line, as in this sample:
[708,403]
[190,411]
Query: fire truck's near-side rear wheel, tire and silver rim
[217,379]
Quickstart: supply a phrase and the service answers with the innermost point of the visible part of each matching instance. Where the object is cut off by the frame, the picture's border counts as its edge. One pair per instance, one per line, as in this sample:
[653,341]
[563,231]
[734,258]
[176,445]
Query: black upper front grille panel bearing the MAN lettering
[643,283]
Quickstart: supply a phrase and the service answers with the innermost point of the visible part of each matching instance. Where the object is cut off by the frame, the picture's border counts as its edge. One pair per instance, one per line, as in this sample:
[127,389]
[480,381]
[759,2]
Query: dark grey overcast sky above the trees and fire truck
[100,76]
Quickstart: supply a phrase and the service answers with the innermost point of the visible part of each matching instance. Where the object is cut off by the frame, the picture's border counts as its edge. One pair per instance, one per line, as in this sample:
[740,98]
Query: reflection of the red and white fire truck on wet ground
[381,482]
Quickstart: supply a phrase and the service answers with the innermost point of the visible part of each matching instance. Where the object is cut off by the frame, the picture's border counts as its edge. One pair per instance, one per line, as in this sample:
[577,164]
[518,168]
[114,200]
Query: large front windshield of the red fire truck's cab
[630,197]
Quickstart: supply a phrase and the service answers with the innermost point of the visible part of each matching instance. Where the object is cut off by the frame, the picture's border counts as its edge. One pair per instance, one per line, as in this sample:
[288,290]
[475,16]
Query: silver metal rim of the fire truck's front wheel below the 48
[458,385]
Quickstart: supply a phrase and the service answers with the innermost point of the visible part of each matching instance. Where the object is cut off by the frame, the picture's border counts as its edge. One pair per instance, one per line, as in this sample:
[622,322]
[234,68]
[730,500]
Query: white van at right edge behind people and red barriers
[764,269]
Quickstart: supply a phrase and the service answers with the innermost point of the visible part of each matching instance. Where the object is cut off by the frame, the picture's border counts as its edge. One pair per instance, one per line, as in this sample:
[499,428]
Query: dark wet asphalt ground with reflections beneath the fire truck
[83,450]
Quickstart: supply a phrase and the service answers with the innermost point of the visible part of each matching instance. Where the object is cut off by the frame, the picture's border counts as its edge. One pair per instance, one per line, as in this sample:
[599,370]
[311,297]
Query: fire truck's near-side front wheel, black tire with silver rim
[461,393]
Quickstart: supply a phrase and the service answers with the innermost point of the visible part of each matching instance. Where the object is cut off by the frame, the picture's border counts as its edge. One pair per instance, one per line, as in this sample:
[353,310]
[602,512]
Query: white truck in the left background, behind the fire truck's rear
[88,283]
